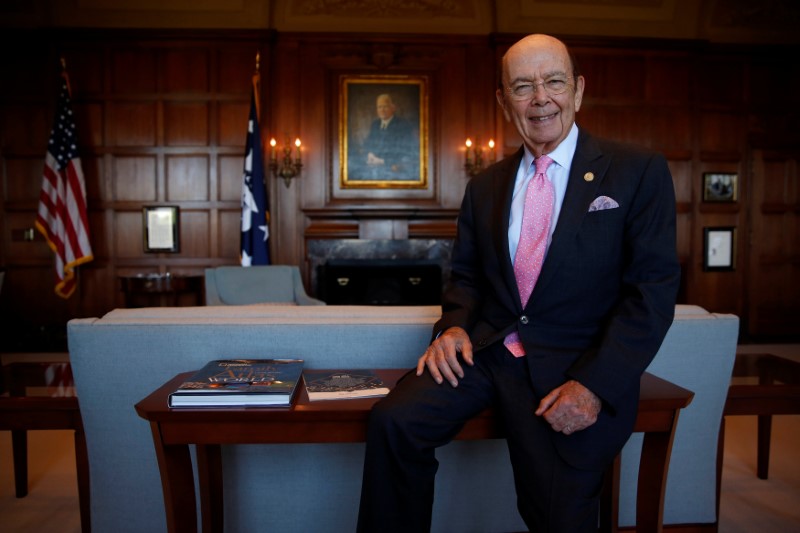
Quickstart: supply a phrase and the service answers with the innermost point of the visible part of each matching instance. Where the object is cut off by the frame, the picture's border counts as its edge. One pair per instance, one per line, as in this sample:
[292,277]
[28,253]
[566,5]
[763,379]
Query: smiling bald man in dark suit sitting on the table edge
[564,280]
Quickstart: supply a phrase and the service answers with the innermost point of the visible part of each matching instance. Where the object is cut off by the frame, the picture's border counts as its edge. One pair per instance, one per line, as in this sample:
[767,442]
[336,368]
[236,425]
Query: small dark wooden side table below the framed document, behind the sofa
[148,290]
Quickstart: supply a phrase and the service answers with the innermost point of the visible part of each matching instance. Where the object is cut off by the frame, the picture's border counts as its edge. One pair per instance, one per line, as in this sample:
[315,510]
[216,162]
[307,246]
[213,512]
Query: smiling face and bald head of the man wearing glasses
[543,120]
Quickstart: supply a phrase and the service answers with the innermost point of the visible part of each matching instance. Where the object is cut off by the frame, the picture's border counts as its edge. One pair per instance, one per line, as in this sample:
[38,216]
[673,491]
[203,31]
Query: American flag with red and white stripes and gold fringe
[62,217]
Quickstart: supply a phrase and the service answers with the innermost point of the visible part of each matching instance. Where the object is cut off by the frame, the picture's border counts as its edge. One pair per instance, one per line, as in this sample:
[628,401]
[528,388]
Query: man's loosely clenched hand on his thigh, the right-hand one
[570,408]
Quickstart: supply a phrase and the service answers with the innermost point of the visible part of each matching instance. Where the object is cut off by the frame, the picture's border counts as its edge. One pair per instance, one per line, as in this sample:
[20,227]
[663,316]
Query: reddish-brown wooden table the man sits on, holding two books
[174,430]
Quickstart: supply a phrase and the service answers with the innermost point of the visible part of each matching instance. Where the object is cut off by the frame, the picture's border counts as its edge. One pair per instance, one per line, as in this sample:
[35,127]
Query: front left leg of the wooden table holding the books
[177,482]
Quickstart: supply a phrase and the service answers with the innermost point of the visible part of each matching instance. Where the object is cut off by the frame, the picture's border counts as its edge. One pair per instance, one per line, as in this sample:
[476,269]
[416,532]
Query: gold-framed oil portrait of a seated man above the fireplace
[383,132]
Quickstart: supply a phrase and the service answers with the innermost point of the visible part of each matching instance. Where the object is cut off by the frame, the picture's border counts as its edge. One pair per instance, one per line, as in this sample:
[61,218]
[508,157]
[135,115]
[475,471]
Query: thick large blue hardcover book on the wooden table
[240,383]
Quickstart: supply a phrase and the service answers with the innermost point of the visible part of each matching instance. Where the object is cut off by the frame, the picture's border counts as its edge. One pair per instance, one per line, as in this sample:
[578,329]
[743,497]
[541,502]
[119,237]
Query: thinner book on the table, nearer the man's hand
[343,384]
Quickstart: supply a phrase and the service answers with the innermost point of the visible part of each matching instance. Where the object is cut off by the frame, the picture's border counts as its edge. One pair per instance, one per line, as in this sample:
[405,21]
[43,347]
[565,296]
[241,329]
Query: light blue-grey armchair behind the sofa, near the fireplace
[275,284]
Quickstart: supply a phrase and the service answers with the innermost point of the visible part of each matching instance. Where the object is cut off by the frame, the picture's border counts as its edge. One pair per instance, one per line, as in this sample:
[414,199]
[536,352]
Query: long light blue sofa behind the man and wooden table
[120,358]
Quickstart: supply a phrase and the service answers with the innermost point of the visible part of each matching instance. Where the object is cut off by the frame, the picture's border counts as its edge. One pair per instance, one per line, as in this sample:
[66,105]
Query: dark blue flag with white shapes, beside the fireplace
[255,206]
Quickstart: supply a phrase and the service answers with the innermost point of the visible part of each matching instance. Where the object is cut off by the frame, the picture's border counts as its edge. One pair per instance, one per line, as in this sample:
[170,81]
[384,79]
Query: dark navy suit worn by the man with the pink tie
[600,309]
